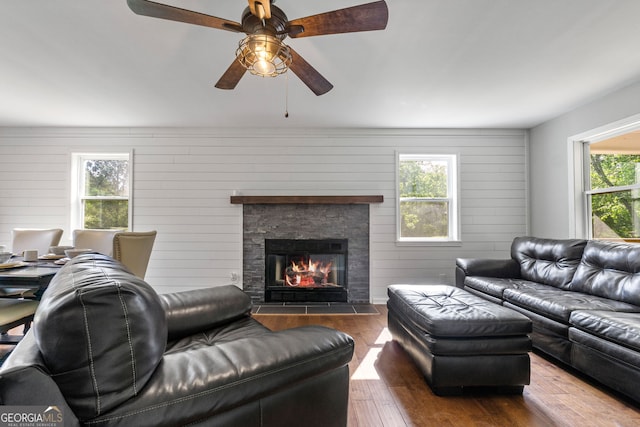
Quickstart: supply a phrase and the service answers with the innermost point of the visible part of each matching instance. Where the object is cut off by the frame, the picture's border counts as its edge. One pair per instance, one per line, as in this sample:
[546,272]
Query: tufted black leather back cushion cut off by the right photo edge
[610,270]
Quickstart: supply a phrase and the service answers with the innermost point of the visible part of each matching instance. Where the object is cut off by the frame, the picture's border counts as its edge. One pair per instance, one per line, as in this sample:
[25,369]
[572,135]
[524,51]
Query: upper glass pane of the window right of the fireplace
[423,178]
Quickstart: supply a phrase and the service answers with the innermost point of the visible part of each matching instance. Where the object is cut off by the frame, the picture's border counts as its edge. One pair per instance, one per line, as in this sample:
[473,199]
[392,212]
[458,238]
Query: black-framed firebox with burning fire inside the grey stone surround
[304,270]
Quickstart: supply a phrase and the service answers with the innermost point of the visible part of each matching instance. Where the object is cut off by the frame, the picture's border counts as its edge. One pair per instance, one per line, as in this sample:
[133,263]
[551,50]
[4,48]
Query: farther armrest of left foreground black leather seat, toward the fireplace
[191,311]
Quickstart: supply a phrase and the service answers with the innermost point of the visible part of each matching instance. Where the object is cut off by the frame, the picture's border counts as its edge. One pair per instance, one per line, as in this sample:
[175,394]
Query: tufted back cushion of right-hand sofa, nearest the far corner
[549,261]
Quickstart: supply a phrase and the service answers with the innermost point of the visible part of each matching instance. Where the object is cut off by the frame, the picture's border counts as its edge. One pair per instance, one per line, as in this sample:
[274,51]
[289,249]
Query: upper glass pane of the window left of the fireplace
[106,178]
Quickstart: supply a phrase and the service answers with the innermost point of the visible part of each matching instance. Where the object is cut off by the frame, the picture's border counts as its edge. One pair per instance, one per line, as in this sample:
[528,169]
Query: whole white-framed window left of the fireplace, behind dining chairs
[100,191]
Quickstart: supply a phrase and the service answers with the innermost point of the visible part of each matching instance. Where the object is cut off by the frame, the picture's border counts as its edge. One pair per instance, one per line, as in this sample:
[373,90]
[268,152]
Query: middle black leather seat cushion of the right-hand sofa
[558,304]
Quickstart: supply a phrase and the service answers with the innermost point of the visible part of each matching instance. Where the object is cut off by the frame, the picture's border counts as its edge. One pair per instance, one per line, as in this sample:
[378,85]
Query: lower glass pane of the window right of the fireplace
[427,219]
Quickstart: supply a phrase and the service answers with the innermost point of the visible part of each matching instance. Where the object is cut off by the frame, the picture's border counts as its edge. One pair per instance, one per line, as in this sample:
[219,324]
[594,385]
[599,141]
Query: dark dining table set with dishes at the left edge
[19,278]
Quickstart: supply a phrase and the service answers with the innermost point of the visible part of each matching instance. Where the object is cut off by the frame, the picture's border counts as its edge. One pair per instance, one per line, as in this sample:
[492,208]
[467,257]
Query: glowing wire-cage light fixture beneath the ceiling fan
[264,55]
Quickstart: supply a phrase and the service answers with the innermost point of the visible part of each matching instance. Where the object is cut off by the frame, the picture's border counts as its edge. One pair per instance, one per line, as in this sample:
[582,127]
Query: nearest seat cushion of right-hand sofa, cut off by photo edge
[621,328]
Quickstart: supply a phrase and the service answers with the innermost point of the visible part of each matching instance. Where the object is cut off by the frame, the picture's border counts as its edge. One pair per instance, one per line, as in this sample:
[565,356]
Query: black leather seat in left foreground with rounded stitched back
[105,349]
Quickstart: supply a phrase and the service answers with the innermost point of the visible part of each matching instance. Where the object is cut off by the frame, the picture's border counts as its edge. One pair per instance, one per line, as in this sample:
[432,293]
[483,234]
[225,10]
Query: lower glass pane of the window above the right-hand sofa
[616,215]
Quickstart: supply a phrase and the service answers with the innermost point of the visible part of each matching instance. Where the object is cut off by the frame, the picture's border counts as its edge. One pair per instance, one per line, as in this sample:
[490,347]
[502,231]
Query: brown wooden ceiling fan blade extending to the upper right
[366,17]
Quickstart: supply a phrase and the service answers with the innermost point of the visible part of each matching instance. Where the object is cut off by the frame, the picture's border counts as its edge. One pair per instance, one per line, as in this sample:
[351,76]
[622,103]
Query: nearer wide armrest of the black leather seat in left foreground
[251,374]
